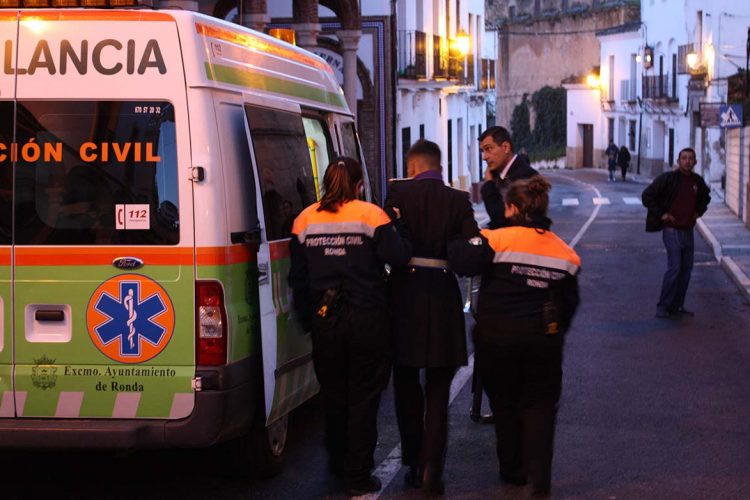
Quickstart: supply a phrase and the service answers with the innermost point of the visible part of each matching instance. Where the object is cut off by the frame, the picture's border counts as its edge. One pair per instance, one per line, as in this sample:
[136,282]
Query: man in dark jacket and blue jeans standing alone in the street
[675,200]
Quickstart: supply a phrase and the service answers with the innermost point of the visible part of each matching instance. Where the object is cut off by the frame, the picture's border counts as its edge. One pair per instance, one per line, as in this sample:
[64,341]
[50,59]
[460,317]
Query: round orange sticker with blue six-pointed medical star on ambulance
[130,318]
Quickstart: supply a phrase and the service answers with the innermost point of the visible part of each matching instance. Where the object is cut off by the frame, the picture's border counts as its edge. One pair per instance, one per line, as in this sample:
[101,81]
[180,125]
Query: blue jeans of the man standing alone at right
[680,247]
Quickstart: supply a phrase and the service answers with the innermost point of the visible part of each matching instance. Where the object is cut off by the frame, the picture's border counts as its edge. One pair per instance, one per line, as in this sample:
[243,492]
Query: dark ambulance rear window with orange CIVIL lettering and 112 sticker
[95,173]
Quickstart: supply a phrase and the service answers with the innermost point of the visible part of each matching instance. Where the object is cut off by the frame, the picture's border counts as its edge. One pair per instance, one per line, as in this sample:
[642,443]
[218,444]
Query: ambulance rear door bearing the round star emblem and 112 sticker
[103,228]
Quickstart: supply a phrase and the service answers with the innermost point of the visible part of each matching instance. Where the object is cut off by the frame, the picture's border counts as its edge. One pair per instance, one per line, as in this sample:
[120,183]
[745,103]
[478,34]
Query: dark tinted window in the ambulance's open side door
[283,162]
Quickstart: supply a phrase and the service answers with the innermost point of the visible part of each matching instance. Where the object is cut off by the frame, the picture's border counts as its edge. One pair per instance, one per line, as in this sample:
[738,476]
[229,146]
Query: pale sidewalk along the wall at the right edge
[730,241]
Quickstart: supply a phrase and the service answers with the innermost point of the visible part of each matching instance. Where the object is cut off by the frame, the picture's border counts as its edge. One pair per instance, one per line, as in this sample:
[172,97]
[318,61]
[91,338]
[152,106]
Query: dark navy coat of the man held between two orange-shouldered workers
[426,302]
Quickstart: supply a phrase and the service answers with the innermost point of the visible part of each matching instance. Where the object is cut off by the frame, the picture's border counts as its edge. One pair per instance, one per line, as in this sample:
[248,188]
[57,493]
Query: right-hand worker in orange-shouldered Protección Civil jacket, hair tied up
[527,300]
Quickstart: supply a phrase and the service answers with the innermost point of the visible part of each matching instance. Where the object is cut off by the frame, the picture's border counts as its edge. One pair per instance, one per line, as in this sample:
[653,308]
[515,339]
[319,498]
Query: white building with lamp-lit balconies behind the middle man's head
[442,94]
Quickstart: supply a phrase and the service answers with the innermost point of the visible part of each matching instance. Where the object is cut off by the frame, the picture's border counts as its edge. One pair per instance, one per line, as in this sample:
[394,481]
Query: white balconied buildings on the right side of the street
[655,98]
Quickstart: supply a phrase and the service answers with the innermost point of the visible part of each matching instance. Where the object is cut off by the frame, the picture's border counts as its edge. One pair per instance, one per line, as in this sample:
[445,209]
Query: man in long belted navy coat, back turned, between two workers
[428,314]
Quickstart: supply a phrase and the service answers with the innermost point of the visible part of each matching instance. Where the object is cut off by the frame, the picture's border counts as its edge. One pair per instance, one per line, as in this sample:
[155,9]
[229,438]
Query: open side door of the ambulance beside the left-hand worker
[281,153]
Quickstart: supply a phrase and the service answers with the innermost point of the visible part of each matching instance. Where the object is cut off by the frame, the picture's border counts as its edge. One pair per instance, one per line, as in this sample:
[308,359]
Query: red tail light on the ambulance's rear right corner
[210,324]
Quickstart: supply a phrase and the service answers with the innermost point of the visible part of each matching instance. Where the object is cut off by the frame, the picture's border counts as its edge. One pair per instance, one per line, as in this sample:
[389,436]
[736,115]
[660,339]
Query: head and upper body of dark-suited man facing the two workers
[503,167]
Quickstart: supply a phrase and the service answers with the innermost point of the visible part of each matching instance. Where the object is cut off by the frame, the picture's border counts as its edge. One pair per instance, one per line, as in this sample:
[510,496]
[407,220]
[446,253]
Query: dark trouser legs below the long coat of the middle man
[423,416]
